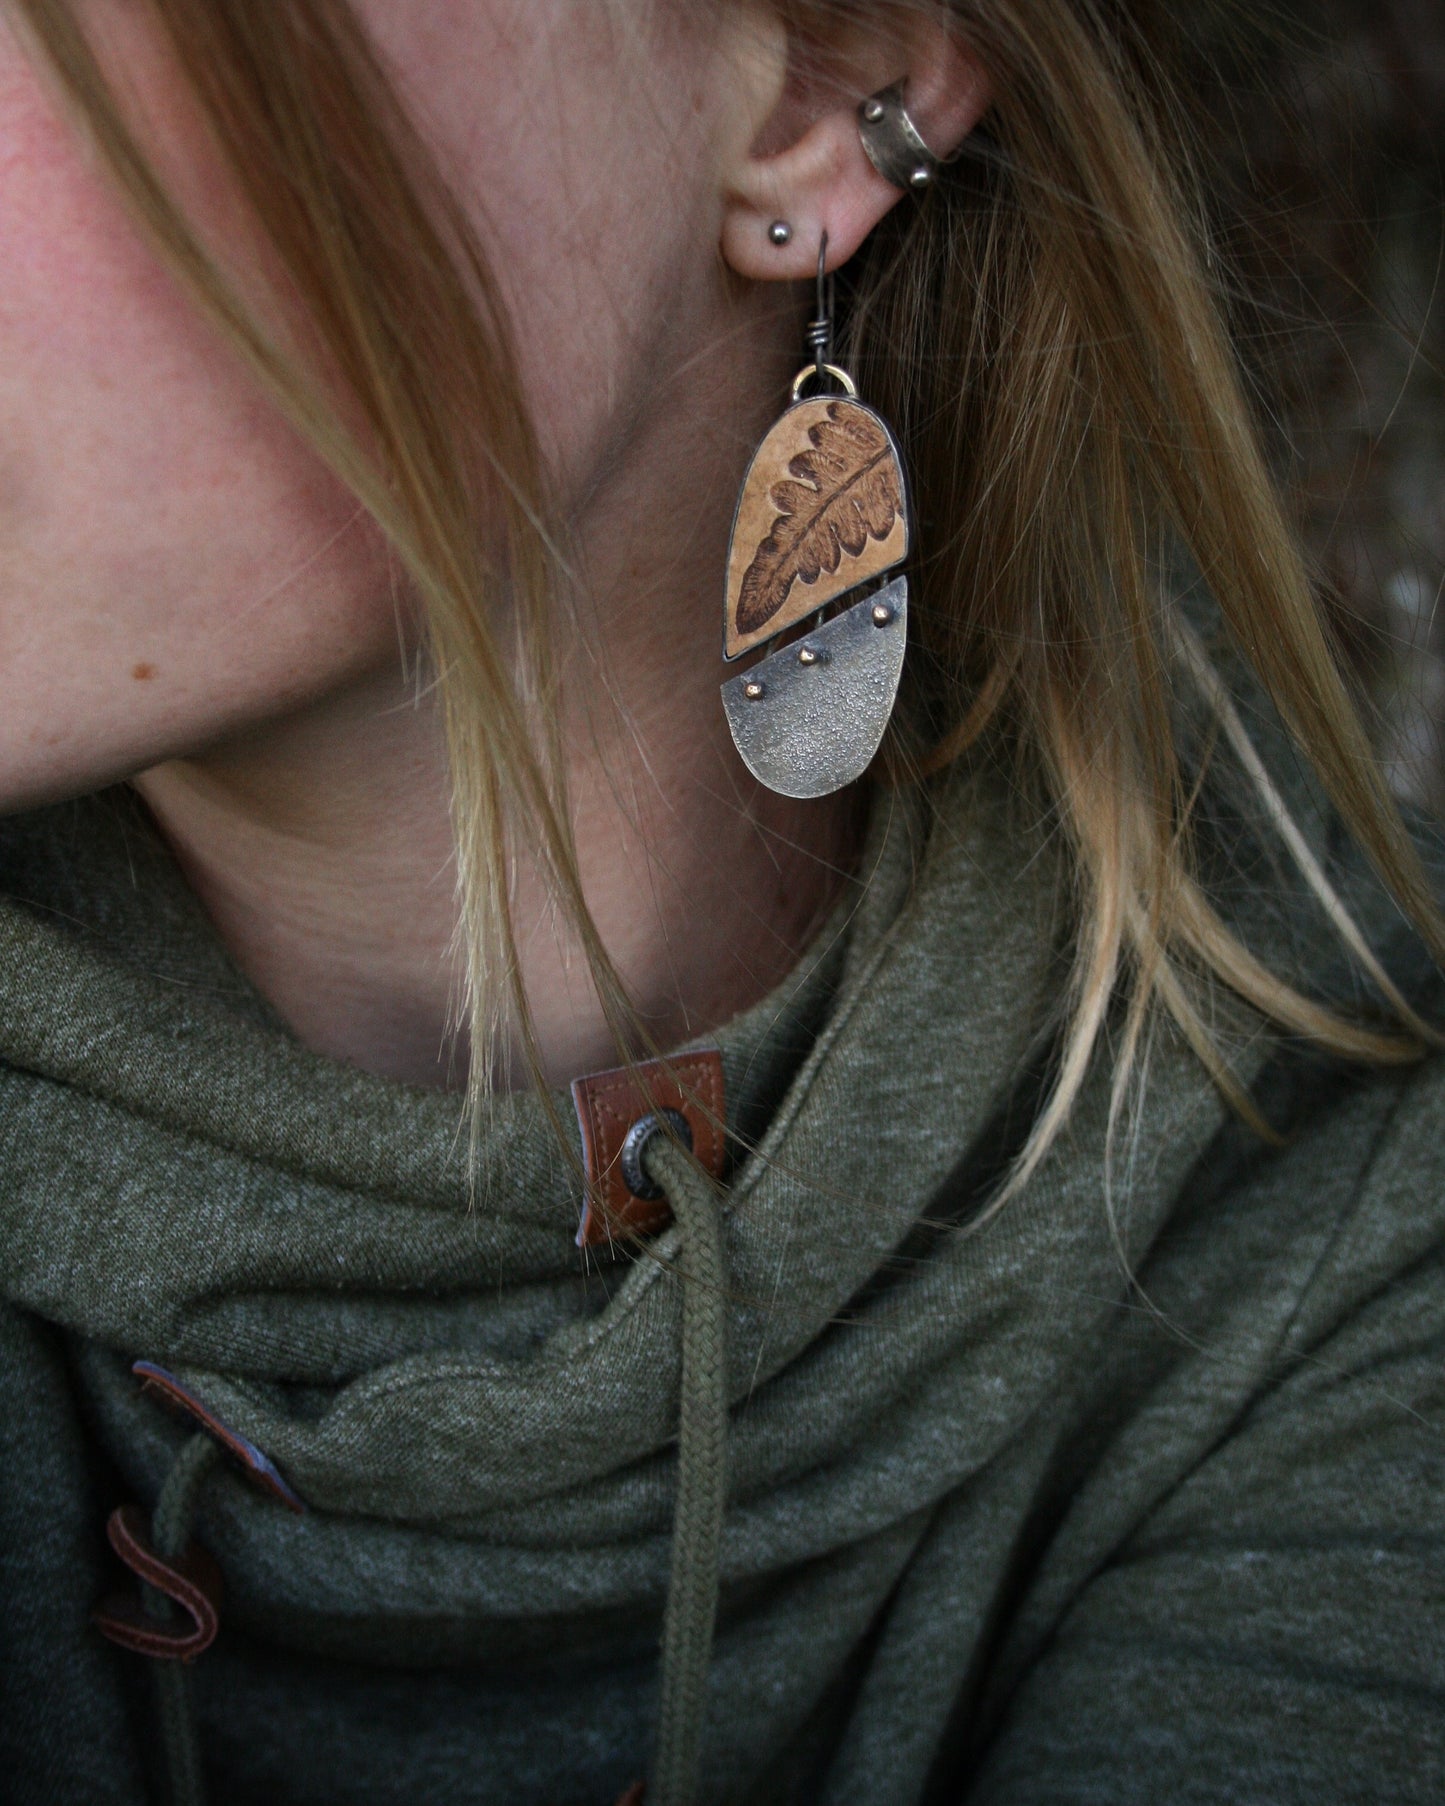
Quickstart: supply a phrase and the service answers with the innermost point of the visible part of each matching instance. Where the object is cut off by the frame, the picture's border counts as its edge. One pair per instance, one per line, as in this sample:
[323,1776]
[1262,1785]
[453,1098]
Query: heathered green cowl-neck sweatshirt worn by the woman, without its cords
[1003,1527]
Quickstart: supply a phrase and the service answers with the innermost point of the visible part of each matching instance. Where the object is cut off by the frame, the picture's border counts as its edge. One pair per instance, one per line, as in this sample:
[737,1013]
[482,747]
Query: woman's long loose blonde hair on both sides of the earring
[1043,333]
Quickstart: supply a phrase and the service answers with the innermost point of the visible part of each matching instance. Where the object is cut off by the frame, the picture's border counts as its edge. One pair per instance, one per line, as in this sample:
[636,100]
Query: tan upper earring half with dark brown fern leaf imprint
[821,512]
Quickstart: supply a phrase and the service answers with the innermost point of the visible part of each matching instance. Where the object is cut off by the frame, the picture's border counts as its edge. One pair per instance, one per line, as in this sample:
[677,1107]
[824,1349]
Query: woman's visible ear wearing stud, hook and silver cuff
[808,167]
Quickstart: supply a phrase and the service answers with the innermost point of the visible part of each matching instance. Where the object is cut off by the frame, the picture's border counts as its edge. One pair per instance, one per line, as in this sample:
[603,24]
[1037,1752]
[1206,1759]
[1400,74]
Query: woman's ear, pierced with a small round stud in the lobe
[823,178]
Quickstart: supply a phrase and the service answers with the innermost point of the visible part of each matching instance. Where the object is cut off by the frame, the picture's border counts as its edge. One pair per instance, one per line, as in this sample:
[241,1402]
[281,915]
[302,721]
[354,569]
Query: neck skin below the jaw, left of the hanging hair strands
[322,853]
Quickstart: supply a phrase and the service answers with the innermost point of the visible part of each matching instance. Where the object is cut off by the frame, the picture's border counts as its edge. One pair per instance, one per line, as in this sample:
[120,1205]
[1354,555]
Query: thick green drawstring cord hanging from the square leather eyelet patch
[702,1475]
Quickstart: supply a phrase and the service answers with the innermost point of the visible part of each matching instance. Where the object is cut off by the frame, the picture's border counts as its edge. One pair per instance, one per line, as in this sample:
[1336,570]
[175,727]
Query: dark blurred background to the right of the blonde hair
[1327,138]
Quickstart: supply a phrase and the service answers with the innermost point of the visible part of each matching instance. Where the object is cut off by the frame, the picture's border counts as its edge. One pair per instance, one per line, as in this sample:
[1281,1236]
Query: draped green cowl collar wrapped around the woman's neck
[297,1243]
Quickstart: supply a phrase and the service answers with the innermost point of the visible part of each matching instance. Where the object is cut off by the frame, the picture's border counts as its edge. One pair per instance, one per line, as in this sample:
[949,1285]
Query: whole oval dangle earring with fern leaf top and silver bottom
[823,516]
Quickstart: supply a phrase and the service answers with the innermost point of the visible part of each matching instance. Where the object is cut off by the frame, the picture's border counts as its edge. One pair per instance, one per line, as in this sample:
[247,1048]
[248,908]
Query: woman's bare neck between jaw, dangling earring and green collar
[322,844]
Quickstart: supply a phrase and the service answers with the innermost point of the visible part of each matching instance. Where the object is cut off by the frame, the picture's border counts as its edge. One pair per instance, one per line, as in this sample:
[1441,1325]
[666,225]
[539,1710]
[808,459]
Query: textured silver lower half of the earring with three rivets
[810,718]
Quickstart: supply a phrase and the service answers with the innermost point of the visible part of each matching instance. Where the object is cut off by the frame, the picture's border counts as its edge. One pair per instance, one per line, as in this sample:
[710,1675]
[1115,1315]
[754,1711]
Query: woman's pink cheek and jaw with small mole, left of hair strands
[172,561]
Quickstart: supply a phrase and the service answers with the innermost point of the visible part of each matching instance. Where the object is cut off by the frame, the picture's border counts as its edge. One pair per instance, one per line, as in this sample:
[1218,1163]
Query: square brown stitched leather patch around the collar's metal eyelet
[608,1104]
